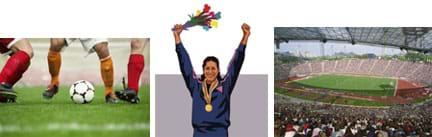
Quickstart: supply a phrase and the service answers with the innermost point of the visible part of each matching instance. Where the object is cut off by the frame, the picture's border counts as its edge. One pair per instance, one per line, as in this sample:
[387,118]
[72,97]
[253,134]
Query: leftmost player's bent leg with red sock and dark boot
[15,66]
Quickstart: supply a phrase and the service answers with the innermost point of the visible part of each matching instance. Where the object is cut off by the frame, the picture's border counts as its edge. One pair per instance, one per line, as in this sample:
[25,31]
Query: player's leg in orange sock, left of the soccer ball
[54,64]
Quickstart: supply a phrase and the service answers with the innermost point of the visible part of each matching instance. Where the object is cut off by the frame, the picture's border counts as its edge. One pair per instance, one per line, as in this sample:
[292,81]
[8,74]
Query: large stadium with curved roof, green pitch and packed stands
[352,81]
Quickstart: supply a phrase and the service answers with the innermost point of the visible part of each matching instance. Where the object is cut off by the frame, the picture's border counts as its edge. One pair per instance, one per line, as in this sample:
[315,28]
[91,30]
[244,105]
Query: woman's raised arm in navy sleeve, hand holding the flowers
[186,68]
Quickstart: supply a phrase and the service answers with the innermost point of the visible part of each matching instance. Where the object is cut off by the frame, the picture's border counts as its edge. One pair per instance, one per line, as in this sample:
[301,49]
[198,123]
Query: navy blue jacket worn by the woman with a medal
[220,115]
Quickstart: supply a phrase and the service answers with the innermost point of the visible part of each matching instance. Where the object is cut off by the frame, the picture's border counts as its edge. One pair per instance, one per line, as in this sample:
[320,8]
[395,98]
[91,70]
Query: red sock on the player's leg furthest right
[135,67]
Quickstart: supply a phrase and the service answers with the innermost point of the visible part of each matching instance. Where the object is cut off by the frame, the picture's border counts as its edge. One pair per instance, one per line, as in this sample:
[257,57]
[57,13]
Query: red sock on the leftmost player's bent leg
[15,66]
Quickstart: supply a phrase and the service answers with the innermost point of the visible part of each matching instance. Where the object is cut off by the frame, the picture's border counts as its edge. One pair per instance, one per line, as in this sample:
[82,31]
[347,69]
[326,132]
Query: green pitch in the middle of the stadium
[360,85]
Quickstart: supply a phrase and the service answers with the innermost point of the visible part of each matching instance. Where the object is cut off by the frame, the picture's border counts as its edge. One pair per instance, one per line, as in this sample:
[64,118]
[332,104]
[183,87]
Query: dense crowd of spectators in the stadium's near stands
[311,119]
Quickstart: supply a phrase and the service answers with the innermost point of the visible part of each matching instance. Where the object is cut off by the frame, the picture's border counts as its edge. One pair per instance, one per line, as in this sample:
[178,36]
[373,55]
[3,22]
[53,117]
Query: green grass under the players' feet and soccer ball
[60,117]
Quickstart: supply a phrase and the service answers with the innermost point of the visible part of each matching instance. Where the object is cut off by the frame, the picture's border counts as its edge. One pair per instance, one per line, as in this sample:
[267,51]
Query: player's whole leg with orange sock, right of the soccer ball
[107,70]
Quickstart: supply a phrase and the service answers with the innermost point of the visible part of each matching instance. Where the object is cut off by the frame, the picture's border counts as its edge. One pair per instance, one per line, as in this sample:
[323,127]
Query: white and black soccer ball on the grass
[81,92]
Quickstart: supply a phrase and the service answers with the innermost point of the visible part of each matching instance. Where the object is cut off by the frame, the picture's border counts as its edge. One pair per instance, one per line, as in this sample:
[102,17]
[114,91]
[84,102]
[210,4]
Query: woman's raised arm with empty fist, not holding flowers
[237,60]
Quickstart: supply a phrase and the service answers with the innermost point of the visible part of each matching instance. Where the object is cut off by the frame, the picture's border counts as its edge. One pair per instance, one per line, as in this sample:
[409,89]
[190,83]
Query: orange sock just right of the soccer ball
[107,72]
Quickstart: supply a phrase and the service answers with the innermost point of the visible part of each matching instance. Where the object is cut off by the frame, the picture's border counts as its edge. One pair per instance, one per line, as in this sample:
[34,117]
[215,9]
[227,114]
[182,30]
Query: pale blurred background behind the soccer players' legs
[77,65]
